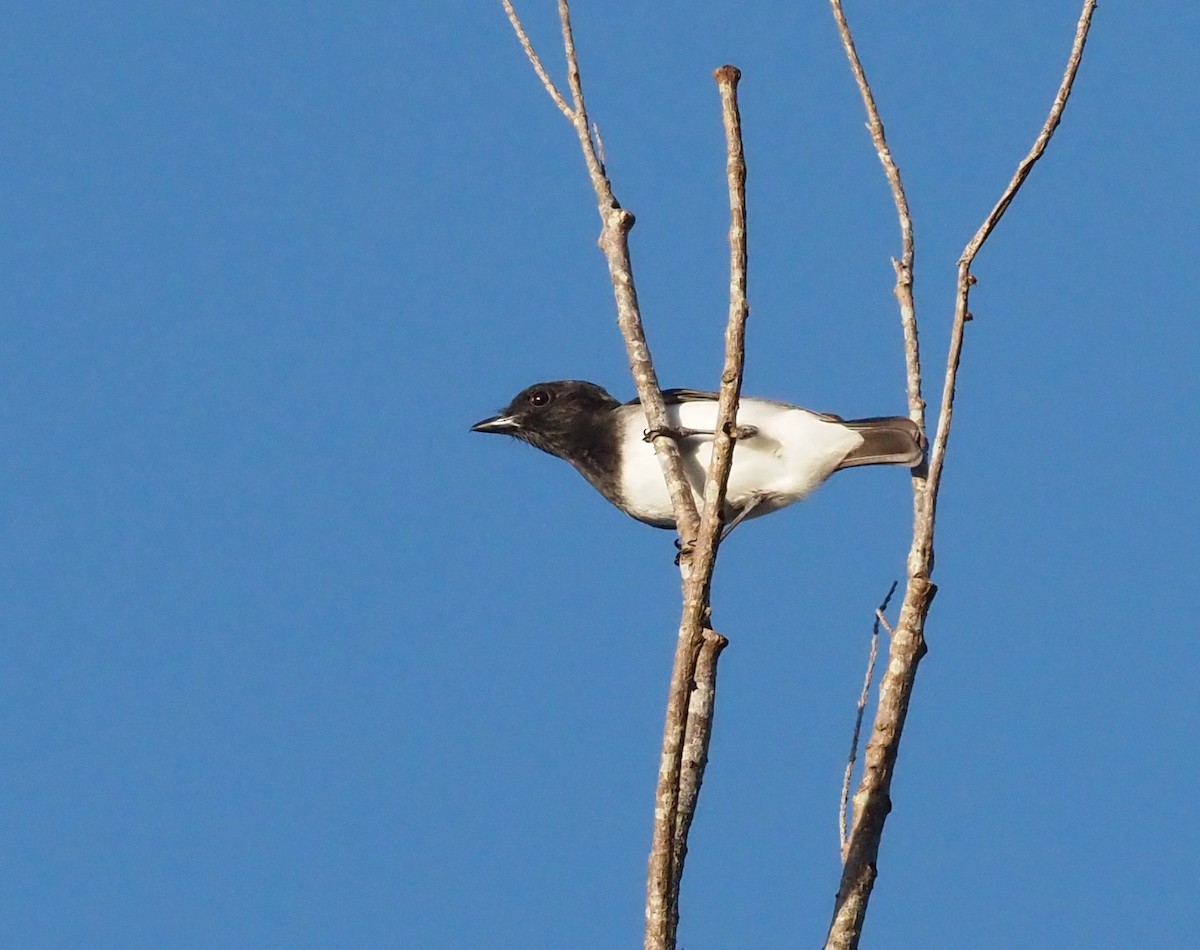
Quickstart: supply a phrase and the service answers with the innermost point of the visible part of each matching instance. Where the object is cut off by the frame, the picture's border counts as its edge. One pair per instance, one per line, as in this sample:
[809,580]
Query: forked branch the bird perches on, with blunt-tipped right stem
[694,675]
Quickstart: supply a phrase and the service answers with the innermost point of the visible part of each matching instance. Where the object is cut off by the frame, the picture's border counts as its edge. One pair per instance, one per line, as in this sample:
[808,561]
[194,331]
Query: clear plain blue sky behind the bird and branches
[291,659]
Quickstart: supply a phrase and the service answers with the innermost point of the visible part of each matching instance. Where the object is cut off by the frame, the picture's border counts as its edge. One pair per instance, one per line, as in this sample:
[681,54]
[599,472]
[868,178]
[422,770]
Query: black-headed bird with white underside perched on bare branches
[782,454]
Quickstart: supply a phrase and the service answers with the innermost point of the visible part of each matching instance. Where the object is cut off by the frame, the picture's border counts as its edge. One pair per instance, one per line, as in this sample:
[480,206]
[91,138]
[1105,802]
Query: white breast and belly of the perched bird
[793,453]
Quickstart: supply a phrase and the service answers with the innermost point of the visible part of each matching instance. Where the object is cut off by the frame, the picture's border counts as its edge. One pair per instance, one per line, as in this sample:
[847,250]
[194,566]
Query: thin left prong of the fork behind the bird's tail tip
[904,268]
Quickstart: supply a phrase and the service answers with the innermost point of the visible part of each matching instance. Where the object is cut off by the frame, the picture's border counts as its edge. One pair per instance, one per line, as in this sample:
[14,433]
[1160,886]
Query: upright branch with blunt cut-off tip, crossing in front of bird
[679,789]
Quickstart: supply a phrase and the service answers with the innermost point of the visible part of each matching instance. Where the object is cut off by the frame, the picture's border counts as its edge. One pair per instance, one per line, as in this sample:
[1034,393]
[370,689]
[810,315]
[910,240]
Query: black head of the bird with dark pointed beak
[557,418]
